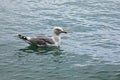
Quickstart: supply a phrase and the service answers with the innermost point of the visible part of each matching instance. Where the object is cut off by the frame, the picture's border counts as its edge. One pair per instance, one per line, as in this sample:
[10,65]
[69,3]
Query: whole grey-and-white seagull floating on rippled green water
[42,40]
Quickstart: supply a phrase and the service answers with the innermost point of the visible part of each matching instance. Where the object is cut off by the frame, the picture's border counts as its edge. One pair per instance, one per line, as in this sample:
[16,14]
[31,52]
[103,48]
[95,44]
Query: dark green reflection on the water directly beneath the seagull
[42,50]
